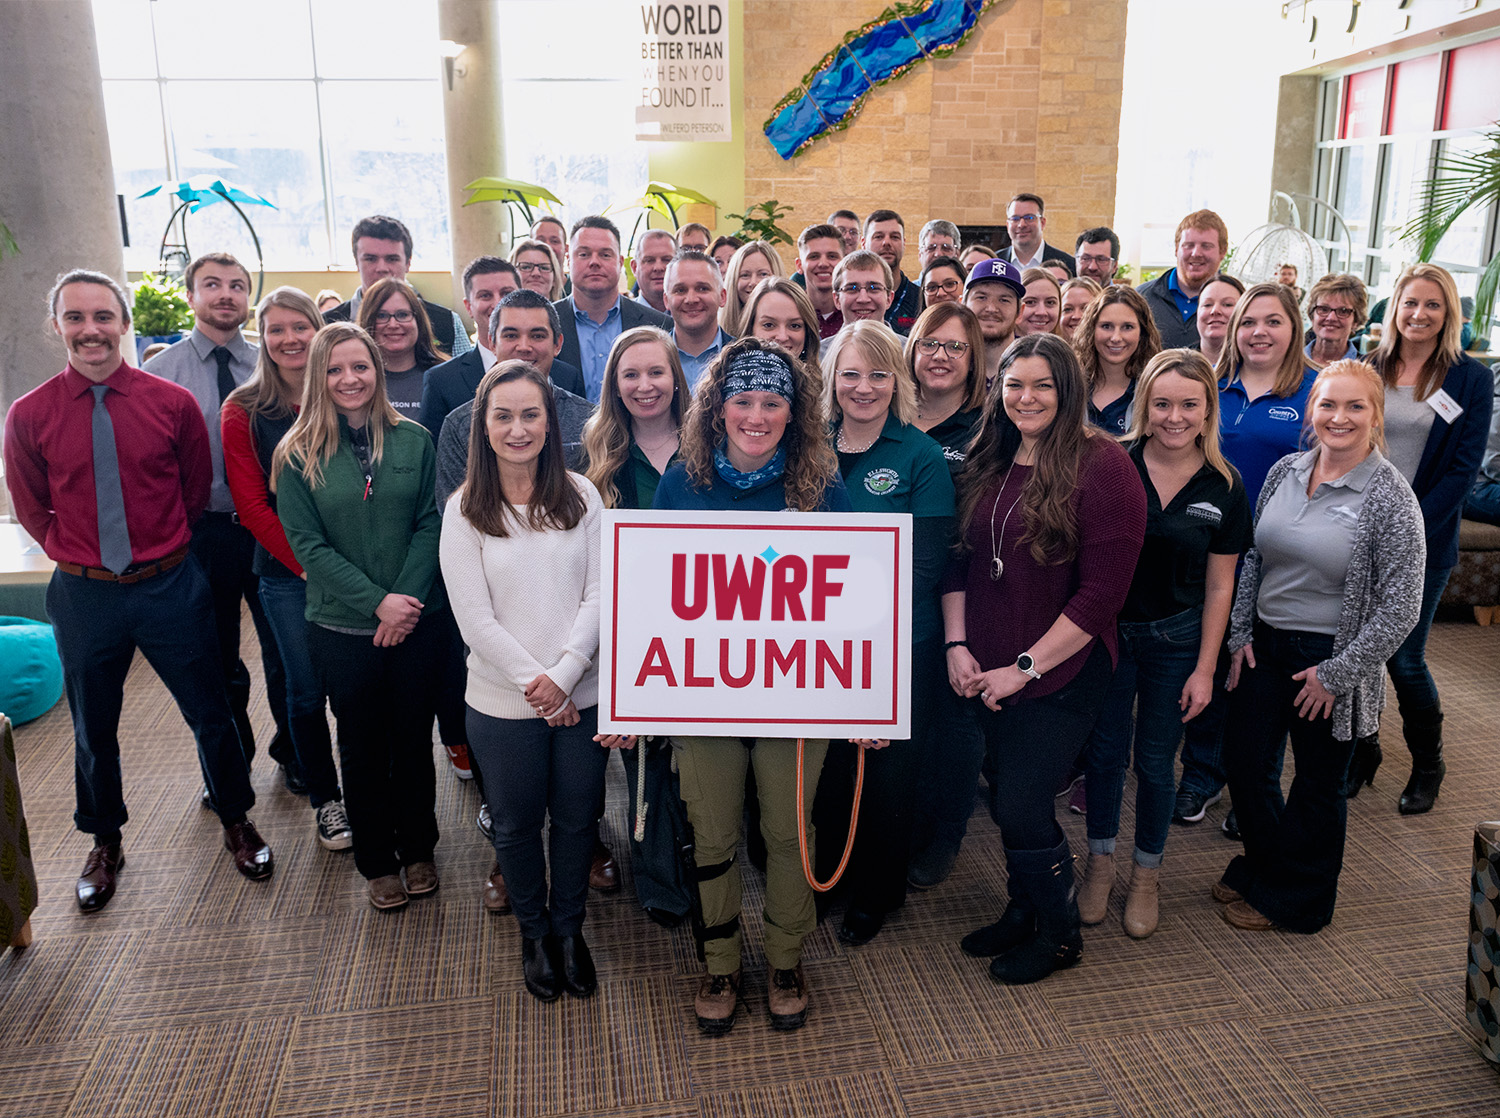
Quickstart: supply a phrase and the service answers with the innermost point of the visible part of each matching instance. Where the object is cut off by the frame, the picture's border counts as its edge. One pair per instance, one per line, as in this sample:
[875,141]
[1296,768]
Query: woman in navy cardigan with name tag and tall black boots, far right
[1438,421]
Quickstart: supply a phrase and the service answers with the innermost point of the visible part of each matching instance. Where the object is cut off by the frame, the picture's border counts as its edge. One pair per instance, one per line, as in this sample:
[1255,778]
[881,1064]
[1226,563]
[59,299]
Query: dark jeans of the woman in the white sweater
[542,772]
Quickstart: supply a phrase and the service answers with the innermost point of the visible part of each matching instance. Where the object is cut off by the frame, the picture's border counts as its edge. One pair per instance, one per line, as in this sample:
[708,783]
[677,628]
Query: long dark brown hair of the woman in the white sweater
[556,500]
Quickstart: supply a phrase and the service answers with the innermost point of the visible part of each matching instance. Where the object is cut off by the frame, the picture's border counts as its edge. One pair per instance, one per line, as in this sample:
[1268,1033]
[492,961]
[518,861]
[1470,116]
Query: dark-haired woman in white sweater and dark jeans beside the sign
[521,561]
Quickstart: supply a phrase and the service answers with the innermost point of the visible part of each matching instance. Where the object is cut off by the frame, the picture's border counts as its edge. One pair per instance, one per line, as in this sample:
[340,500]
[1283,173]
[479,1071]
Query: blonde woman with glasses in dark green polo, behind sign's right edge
[889,466]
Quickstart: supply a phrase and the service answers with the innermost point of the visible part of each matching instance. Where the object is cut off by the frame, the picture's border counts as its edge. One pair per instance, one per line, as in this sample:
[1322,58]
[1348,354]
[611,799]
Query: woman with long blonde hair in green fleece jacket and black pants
[355,485]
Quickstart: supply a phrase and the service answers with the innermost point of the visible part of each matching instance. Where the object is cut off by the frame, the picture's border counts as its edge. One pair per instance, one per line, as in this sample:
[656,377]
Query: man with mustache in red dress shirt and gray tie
[109,467]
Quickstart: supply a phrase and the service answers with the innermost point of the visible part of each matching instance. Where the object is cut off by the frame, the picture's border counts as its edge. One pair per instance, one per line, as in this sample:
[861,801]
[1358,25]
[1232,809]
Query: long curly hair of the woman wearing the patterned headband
[811,460]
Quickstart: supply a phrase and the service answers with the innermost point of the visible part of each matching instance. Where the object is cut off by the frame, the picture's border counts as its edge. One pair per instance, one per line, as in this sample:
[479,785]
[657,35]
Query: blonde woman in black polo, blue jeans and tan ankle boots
[1172,625]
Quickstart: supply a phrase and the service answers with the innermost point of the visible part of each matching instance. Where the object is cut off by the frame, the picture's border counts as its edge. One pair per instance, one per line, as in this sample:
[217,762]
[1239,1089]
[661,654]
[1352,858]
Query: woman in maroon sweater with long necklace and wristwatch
[1052,515]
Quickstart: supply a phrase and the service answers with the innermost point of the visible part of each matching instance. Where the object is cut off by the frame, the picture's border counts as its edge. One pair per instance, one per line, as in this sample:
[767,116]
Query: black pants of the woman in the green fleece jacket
[382,700]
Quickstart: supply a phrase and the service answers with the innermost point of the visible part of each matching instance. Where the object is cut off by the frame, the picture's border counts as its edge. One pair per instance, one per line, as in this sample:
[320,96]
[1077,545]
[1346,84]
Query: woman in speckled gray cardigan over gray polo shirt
[1327,595]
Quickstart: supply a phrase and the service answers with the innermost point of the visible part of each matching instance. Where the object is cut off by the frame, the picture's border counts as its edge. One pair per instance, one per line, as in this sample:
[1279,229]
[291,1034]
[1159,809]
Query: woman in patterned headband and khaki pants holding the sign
[755,439]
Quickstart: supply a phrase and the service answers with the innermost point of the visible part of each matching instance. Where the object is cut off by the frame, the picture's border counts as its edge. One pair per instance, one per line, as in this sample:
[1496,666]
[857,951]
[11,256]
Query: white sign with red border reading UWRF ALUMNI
[757,625]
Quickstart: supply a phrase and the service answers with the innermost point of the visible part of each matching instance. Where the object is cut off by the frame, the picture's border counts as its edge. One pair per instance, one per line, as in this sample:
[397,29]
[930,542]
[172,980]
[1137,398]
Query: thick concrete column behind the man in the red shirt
[56,178]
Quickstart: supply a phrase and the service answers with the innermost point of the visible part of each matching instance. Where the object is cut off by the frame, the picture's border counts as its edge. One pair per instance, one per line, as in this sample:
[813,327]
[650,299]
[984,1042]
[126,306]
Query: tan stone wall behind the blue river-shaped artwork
[1031,103]
